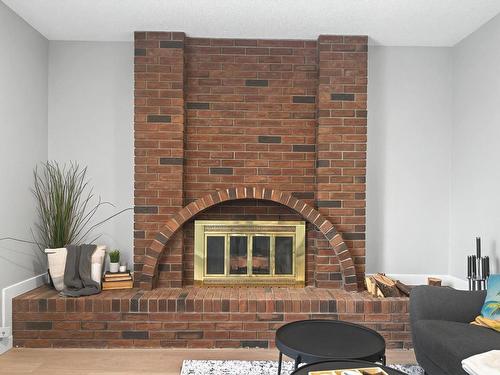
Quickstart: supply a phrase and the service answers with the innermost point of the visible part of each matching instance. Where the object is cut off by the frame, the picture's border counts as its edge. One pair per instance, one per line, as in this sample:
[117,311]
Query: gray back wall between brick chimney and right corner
[408,176]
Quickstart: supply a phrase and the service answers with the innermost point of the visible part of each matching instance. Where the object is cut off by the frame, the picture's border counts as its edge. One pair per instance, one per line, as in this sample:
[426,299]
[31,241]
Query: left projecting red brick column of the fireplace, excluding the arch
[159,144]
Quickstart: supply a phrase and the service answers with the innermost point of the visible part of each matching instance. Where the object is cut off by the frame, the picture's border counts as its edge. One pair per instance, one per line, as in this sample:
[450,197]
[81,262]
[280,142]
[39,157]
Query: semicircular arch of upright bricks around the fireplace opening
[310,214]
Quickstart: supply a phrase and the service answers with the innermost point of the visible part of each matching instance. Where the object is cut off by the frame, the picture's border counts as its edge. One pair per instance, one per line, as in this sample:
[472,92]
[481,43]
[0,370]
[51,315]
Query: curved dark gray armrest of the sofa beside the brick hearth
[441,303]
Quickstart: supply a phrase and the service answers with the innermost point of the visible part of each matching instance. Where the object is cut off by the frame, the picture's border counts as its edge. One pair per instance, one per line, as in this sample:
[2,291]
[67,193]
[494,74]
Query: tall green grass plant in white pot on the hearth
[66,208]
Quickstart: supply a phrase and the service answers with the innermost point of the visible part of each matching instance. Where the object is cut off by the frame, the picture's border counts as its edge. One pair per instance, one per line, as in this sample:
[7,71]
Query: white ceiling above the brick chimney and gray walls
[386,22]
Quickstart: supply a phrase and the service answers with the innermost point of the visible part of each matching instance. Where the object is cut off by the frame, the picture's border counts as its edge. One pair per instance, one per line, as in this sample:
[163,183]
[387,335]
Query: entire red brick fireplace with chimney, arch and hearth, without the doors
[234,130]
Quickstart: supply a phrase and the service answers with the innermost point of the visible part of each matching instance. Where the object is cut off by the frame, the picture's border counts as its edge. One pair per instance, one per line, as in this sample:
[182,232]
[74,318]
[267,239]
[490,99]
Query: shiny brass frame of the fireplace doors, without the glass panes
[228,228]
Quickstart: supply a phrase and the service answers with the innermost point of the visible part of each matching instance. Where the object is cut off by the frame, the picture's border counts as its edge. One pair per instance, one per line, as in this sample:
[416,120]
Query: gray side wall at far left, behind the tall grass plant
[23,140]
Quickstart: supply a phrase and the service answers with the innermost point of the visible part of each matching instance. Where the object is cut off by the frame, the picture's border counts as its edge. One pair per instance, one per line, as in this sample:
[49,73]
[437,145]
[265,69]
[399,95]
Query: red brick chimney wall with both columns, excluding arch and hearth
[219,113]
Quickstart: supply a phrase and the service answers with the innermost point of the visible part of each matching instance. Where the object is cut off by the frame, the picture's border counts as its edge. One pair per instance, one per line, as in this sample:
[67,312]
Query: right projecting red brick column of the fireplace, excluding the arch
[341,139]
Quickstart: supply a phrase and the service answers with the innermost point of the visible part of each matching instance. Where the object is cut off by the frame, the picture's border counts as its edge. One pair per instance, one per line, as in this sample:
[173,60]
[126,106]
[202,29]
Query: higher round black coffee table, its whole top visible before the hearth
[310,341]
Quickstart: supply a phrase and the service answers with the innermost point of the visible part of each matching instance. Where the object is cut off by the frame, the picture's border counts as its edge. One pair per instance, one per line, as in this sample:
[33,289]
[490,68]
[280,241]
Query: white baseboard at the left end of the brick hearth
[10,292]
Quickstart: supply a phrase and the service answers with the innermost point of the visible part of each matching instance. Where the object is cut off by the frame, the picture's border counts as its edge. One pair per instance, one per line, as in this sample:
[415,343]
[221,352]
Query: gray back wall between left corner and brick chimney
[91,121]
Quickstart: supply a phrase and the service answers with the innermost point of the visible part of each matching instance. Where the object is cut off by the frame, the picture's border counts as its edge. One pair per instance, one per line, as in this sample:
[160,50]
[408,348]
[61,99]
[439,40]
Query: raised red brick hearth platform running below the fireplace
[195,317]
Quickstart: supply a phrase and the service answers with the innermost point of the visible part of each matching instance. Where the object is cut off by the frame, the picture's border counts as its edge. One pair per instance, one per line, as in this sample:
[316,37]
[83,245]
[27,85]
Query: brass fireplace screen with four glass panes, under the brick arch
[249,252]
